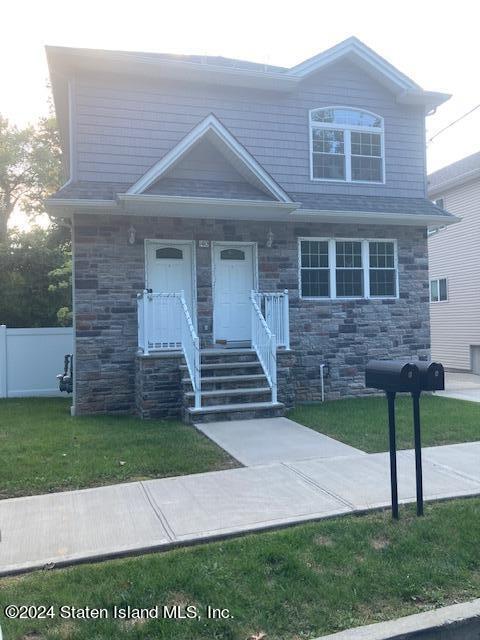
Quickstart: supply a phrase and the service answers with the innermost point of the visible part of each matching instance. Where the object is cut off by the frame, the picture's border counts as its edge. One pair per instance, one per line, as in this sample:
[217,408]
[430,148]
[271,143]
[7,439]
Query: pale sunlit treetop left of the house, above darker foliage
[30,167]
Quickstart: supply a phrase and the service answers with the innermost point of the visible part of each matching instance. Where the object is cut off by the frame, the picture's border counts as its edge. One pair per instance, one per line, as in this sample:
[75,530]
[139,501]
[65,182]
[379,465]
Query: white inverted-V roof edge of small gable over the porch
[212,129]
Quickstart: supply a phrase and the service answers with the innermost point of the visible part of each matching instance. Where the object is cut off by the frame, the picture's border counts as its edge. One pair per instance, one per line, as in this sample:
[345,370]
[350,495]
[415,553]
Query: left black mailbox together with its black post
[392,376]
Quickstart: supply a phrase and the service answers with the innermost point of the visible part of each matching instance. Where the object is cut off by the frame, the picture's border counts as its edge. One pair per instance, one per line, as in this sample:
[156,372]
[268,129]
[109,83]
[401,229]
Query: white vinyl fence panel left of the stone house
[30,359]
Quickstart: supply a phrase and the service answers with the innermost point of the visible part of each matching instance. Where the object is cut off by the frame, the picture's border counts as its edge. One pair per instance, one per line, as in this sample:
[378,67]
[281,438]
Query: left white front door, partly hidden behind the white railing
[169,269]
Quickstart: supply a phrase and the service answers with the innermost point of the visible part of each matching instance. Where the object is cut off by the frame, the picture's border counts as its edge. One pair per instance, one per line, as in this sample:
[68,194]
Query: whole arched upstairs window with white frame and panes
[346,145]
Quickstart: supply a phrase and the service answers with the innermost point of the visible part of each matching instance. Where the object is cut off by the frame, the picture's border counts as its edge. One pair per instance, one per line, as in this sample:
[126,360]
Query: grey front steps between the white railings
[233,387]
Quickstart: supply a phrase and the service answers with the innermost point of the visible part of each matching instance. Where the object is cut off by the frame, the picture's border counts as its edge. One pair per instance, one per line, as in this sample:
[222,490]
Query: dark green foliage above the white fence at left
[35,278]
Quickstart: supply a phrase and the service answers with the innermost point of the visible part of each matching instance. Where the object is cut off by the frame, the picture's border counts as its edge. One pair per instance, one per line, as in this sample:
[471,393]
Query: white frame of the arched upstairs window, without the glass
[347,130]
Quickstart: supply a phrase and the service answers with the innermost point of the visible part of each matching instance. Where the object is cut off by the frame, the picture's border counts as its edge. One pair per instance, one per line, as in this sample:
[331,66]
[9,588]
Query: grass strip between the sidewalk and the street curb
[293,584]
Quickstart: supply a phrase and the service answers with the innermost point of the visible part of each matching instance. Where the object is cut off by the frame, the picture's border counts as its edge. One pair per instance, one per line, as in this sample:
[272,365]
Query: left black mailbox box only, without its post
[392,375]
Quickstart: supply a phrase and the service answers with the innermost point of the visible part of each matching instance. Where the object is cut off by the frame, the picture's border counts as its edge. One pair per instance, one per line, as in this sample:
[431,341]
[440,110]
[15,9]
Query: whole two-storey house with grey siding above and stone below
[219,203]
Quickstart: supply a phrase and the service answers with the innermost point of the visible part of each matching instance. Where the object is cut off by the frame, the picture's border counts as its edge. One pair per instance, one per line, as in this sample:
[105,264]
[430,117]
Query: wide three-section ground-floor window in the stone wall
[330,268]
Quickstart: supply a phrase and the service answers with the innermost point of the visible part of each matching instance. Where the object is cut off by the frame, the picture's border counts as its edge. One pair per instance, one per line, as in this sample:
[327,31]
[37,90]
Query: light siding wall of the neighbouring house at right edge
[454,254]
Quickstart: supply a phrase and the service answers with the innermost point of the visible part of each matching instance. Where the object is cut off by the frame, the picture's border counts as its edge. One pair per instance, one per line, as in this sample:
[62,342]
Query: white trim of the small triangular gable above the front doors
[209,124]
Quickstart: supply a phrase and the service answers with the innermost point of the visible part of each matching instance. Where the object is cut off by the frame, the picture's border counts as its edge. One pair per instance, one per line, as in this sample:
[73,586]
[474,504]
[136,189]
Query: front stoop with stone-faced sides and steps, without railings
[234,386]
